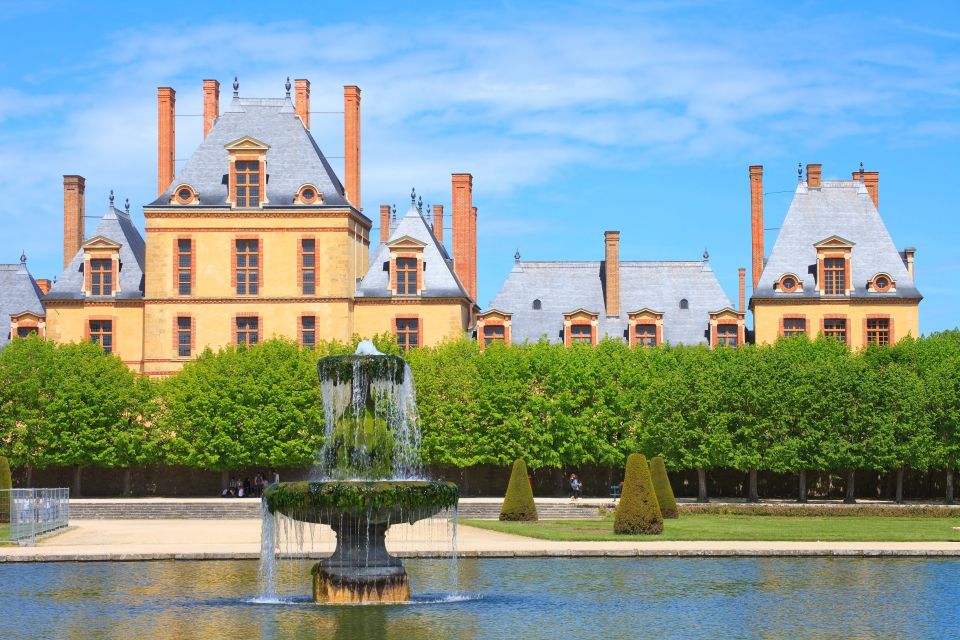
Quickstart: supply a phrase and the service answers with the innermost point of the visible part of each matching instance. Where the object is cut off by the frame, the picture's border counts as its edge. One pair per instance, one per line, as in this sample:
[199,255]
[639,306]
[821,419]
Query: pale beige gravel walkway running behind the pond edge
[91,540]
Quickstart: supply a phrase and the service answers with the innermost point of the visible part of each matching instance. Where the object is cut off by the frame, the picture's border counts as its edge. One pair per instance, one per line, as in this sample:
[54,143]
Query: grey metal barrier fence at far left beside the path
[27,514]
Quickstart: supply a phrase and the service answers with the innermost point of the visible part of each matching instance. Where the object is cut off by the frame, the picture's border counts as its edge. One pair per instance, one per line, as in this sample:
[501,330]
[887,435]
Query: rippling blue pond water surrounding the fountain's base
[519,598]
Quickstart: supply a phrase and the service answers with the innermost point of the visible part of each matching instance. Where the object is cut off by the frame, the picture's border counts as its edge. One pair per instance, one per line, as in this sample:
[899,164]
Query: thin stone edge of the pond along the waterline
[532,553]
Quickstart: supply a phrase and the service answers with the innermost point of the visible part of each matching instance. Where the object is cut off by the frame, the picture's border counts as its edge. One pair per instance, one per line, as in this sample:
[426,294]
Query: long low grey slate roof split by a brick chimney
[562,287]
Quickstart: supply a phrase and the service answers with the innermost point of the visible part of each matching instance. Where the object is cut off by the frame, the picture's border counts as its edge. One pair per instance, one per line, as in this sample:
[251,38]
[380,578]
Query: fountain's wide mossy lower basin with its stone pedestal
[360,512]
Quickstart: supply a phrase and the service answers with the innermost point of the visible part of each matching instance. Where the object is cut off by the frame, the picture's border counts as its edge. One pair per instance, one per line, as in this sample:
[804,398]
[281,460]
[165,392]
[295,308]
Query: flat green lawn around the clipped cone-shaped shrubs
[728,527]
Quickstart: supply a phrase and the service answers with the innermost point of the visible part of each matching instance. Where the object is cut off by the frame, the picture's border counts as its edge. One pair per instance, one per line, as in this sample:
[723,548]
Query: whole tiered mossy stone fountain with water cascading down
[370,477]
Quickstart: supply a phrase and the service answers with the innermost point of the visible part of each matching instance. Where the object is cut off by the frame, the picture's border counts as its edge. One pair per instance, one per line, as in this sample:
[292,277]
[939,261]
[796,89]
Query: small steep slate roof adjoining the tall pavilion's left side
[114,225]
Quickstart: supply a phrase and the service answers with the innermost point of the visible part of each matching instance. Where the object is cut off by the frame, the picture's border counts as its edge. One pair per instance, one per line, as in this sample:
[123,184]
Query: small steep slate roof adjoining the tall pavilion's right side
[439,280]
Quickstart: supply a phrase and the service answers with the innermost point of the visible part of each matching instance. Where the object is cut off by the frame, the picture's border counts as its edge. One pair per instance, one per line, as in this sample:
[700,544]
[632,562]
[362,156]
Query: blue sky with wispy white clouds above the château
[574,118]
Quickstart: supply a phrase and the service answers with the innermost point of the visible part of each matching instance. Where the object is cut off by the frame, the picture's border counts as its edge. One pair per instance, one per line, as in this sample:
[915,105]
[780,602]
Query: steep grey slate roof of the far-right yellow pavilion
[842,208]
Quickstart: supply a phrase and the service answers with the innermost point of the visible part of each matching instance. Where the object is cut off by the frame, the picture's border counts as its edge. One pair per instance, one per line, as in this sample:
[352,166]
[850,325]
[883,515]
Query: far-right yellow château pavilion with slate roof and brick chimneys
[834,268]
